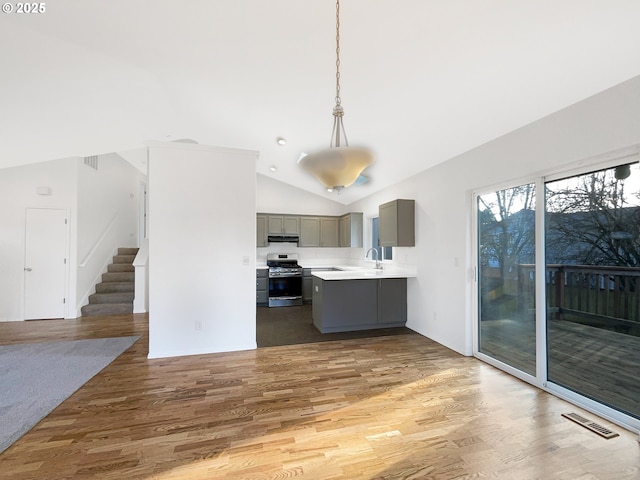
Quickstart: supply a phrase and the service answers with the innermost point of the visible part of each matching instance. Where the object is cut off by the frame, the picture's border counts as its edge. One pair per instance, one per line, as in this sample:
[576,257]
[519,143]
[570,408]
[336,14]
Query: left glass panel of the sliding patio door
[506,276]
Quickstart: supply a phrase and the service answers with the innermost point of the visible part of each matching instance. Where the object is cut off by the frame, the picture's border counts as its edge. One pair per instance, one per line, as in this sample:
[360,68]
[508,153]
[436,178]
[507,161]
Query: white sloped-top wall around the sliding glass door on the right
[439,299]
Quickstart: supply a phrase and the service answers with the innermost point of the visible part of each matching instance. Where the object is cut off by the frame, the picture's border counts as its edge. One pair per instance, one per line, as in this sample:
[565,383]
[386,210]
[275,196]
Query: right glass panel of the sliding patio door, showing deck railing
[593,285]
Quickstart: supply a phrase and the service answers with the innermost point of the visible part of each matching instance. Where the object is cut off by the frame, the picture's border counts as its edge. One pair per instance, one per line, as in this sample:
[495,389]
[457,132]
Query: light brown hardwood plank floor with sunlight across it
[387,407]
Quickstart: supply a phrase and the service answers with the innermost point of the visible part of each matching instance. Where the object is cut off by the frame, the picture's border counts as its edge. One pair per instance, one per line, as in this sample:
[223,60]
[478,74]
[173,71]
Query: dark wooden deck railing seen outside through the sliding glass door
[598,292]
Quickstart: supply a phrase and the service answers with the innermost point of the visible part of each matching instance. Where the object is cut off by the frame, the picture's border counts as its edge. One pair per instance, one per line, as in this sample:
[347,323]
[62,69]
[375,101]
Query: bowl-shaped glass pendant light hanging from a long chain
[338,166]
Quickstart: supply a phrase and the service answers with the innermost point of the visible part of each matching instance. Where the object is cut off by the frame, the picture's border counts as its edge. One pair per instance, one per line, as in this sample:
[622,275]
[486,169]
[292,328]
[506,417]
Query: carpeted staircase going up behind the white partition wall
[114,295]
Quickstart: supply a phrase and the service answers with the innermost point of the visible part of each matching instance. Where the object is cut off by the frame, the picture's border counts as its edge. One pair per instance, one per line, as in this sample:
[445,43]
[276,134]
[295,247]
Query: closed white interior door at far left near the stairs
[45,263]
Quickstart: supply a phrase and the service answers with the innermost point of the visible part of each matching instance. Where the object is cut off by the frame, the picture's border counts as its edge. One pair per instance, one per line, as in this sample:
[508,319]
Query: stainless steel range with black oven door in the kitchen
[285,280]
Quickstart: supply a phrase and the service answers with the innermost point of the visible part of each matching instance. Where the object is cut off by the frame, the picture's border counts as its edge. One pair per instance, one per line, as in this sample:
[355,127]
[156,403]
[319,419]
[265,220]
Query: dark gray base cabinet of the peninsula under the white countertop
[346,305]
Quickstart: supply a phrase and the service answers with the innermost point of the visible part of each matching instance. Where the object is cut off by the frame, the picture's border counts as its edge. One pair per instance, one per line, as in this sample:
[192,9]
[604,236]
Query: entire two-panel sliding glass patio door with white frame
[558,291]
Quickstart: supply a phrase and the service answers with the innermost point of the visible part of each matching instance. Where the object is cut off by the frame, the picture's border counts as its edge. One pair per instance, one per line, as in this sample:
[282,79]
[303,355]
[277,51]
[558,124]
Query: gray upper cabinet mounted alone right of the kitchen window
[397,223]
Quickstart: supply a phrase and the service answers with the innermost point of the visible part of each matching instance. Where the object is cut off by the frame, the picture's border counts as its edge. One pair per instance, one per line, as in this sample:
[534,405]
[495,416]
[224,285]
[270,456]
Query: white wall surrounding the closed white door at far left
[17,193]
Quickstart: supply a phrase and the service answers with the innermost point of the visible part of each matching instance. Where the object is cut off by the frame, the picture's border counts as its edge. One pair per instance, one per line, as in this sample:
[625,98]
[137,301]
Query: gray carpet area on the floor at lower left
[36,377]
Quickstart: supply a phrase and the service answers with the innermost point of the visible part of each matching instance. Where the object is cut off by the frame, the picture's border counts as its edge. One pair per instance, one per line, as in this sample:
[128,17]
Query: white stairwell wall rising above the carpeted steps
[108,210]
